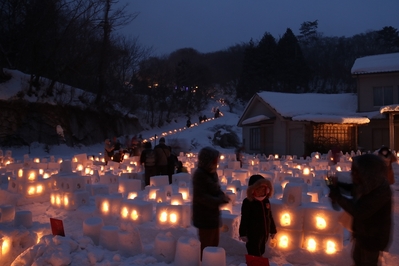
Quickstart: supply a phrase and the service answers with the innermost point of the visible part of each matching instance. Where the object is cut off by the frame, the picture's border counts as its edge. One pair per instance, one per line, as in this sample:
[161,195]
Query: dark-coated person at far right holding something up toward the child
[370,208]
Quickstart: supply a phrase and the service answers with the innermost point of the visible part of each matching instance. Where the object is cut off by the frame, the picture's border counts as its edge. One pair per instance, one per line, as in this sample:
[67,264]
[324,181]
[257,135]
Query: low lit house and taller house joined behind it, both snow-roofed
[298,124]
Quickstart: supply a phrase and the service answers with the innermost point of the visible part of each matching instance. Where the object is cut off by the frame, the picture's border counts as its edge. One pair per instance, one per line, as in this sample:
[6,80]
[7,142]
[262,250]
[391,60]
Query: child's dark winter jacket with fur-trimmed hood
[256,216]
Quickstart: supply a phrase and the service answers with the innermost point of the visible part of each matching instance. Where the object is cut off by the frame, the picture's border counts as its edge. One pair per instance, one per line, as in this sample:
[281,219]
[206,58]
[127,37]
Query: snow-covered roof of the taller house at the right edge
[376,64]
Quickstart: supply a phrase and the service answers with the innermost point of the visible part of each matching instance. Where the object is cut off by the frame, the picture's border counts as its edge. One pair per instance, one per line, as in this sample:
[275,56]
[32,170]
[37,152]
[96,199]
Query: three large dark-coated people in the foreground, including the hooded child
[370,206]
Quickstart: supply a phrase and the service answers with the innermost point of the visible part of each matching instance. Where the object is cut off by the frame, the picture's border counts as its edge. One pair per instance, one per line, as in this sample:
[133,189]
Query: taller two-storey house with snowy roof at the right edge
[377,79]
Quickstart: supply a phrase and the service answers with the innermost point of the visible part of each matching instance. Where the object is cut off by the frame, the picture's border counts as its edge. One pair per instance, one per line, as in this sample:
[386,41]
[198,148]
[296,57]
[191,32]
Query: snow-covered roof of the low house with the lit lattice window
[316,107]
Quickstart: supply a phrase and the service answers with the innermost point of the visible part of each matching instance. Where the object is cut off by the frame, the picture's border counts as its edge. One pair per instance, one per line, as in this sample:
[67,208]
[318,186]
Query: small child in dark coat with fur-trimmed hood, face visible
[257,221]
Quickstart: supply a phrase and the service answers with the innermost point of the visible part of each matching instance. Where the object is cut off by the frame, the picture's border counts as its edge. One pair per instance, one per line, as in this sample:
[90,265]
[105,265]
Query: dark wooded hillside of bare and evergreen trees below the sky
[76,42]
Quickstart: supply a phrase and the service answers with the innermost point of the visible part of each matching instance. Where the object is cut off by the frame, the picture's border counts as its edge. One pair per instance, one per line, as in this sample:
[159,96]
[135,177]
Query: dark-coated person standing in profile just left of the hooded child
[207,198]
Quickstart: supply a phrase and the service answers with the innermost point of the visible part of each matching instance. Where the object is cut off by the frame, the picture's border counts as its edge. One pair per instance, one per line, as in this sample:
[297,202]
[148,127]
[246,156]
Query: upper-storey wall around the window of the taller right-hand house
[365,85]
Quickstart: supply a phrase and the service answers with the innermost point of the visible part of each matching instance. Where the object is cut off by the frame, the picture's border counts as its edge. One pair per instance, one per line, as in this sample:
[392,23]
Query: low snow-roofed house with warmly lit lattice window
[298,124]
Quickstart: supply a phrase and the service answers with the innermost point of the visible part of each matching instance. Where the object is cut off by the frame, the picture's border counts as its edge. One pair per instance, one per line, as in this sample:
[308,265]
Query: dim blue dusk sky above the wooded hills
[213,25]
